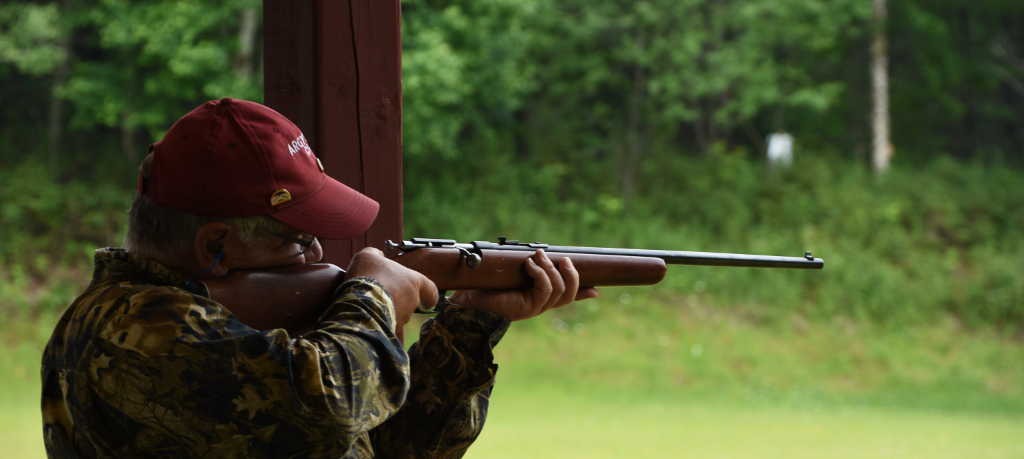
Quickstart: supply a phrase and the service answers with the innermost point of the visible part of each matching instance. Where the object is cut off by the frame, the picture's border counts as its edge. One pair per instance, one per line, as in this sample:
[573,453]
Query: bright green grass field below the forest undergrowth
[646,377]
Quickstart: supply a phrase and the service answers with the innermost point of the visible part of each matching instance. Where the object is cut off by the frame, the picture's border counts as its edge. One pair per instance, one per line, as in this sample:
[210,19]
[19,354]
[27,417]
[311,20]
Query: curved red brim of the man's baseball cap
[336,212]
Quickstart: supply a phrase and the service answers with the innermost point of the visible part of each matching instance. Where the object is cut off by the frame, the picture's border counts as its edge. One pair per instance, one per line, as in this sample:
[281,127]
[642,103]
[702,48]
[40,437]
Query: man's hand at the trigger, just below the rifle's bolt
[409,289]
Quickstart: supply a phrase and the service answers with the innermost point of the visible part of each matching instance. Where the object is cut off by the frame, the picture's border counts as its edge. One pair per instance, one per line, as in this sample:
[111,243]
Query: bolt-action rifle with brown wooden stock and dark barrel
[293,298]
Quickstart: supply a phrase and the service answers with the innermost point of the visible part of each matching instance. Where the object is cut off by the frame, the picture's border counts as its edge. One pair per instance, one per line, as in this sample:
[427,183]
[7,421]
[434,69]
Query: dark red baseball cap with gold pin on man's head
[233,158]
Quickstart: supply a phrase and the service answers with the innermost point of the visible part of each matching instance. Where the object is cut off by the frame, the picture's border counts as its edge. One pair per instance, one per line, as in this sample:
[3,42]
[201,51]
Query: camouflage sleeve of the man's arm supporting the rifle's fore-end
[453,374]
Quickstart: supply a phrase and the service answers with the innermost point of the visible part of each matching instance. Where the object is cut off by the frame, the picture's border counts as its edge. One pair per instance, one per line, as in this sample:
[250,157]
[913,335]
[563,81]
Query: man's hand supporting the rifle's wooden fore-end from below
[553,287]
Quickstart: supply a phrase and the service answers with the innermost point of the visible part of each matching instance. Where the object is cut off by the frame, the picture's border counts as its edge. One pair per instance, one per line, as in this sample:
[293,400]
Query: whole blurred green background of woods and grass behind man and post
[634,123]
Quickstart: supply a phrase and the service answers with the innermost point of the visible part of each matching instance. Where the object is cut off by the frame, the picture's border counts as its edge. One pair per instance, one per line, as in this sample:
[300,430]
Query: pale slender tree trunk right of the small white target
[882,150]
